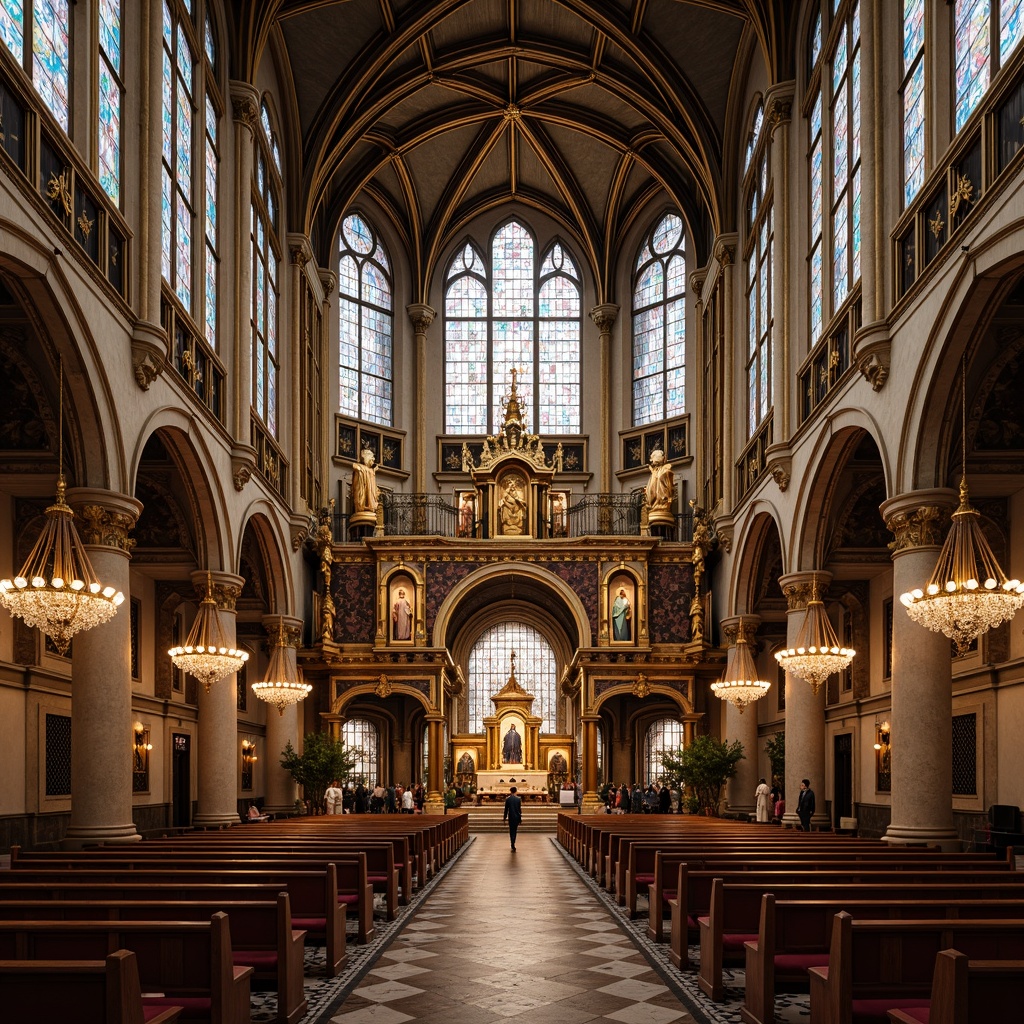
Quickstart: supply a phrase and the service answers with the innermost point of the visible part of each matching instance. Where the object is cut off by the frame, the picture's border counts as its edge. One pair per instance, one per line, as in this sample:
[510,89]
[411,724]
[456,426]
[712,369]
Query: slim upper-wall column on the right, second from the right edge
[779,115]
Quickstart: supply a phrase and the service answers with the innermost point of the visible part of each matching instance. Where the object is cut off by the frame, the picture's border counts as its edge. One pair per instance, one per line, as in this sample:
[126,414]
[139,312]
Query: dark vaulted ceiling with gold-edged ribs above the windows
[442,110]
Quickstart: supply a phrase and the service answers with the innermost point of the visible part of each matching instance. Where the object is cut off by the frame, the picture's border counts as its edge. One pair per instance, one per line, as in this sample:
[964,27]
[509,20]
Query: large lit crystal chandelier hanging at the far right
[968,593]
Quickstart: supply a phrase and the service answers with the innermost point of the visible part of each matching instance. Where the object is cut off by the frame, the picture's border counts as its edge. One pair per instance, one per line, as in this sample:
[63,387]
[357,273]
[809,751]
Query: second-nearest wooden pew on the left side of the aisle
[189,962]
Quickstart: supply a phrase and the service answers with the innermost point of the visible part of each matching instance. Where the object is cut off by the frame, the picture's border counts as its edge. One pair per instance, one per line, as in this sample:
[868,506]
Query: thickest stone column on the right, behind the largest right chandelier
[922,685]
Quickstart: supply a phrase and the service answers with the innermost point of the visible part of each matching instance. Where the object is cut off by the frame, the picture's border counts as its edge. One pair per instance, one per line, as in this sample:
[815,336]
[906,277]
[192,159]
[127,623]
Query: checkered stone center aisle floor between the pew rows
[508,934]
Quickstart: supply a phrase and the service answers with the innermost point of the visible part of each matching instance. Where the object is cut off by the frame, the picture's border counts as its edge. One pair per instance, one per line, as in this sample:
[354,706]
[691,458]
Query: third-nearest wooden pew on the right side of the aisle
[796,923]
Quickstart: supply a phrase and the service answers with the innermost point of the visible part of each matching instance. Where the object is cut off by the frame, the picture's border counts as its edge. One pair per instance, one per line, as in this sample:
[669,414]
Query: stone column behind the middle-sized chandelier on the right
[805,711]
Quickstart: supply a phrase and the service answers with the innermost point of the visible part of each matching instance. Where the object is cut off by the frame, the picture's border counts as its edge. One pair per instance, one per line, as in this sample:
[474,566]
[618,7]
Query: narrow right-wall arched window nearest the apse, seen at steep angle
[760,247]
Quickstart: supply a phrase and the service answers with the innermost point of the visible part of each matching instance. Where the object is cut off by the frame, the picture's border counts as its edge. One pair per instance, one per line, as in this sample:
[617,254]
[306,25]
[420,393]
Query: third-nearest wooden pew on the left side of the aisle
[262,934]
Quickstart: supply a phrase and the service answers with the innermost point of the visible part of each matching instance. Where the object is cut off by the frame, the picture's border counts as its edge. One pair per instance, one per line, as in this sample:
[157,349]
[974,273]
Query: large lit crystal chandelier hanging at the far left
[58,590]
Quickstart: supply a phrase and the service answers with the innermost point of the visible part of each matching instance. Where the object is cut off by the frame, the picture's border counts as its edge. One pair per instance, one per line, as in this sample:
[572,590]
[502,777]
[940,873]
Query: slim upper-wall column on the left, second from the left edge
[245,108]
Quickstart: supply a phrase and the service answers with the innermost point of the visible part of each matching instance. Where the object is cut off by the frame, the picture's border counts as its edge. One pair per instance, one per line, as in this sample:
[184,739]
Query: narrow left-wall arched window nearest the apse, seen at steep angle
[266,258]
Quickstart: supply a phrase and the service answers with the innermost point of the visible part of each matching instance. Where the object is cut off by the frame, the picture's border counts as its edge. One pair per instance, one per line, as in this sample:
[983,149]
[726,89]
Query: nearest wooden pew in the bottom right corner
[969,992]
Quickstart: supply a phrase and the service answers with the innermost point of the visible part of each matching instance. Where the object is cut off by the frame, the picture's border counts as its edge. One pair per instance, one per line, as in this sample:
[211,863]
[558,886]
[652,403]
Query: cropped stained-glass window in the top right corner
[985,35]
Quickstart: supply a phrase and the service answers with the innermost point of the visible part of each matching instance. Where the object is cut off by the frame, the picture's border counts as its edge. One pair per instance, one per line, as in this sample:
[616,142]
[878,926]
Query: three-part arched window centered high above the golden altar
[513,311]
